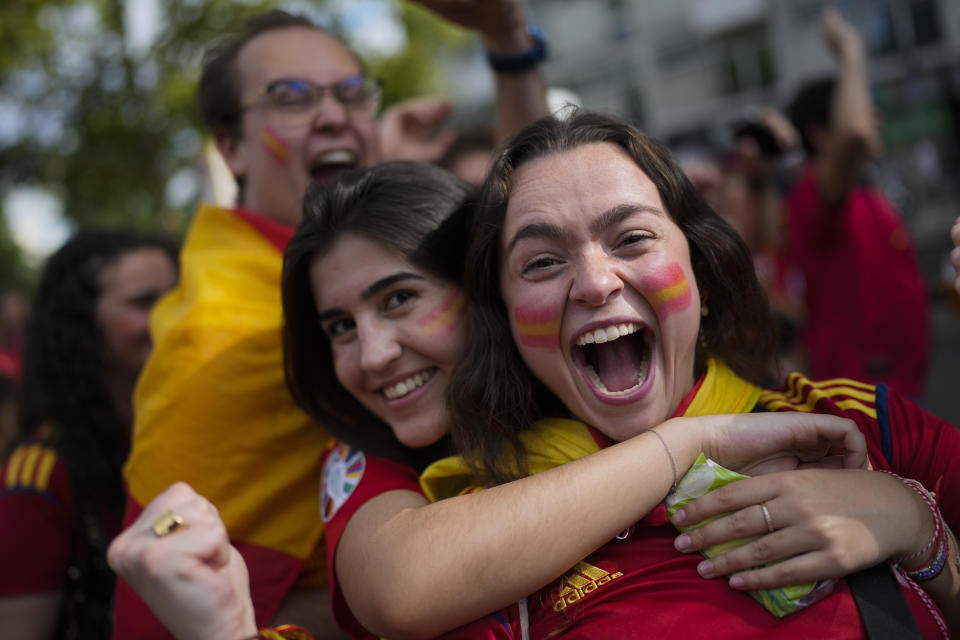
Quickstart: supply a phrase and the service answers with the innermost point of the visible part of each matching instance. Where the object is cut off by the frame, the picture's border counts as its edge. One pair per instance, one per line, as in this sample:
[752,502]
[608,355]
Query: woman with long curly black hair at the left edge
[62,499]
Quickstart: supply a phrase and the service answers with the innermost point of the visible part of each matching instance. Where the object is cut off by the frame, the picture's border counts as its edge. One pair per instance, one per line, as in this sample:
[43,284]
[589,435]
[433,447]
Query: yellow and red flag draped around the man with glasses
[212,408]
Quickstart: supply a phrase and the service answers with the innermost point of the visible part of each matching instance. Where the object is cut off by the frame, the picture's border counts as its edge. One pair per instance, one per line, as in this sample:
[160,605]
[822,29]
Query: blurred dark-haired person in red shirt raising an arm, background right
[866,303]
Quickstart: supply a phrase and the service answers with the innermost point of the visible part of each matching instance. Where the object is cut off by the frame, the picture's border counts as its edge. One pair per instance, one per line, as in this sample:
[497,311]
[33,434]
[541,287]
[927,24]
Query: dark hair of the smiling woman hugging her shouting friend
[419,210]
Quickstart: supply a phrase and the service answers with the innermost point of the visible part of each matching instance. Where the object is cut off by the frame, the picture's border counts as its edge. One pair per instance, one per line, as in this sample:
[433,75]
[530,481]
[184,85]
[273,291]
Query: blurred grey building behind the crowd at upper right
[685,69]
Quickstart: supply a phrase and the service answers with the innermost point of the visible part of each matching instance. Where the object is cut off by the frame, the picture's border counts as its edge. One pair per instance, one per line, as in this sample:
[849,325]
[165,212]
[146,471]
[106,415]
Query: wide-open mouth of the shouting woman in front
[614,358]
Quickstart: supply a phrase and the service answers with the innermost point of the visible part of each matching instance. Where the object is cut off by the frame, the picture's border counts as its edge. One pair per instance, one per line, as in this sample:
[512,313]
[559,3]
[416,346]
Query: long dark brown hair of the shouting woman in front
[492,395]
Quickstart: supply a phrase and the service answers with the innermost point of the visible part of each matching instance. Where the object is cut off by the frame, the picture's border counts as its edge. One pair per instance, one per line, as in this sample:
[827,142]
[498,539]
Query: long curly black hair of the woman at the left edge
[65,401]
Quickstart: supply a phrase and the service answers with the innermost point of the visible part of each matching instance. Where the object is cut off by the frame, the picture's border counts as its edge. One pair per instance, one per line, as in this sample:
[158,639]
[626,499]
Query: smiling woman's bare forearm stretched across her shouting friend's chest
[442,565]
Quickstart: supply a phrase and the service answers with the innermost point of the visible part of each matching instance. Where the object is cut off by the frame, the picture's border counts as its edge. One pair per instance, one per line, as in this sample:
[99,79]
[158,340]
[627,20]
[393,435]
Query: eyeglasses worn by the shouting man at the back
[295,101]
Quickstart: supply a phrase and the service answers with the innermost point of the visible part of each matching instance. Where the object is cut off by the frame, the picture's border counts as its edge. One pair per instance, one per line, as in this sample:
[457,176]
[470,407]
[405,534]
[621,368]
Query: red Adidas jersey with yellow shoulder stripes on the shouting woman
[640,586]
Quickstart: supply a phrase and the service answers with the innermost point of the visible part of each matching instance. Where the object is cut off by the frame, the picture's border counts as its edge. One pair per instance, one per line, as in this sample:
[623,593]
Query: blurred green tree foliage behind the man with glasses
[112,128]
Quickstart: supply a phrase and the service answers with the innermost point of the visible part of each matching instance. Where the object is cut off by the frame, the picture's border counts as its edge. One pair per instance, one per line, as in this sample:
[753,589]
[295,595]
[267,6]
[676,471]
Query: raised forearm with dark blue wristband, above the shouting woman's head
[521,97]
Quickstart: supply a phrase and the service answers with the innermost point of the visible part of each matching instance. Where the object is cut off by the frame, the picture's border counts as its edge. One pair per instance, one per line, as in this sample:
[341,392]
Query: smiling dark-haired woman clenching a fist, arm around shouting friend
[373,330]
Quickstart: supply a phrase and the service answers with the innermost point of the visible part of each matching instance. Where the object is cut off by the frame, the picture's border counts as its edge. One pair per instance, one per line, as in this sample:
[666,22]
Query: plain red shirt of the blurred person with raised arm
[865,299]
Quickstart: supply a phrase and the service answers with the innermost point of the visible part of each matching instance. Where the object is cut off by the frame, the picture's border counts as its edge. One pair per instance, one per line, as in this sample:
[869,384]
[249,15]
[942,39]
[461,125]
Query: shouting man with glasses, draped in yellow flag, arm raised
[287,103]
